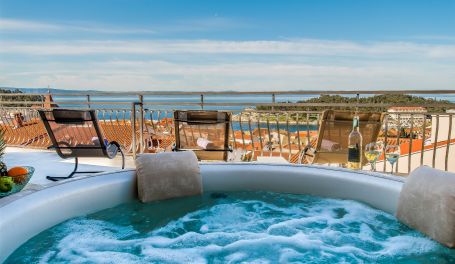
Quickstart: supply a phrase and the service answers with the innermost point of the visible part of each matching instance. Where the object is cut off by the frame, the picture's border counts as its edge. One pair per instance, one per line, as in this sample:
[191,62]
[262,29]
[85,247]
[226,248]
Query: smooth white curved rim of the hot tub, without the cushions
[27,214]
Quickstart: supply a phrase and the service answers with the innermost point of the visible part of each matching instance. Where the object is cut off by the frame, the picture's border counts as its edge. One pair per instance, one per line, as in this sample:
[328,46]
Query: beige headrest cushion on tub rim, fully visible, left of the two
[167,175]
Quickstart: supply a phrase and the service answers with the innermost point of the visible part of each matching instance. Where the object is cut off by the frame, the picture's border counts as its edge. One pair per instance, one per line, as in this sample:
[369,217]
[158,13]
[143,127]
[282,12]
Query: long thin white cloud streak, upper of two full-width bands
[306,47]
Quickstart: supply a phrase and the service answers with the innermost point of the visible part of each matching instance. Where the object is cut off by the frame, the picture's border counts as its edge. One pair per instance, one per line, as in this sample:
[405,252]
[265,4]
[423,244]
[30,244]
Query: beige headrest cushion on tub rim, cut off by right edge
[427,203]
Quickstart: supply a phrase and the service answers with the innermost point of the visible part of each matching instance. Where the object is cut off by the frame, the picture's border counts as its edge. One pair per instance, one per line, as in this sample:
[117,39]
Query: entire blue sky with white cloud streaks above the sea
[246,45]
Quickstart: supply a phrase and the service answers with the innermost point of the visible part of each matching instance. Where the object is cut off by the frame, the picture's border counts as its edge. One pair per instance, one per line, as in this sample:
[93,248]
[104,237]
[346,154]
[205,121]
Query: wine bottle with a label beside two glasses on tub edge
[355,146]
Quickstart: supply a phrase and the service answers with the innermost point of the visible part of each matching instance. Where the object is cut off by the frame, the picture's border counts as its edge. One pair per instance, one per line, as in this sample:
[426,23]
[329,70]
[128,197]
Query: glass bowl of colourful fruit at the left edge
[15,180]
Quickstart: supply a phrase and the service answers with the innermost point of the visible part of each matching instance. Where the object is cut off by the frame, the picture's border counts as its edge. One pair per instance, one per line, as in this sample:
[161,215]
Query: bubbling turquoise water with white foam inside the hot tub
[257,227]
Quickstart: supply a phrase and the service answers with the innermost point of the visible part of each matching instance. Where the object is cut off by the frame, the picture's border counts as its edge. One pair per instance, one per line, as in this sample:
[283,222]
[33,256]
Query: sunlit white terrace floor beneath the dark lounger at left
[49,163]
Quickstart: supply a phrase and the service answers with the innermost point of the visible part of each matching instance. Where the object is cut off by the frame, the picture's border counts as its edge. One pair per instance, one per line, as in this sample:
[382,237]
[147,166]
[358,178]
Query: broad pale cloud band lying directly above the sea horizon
[130,75]
